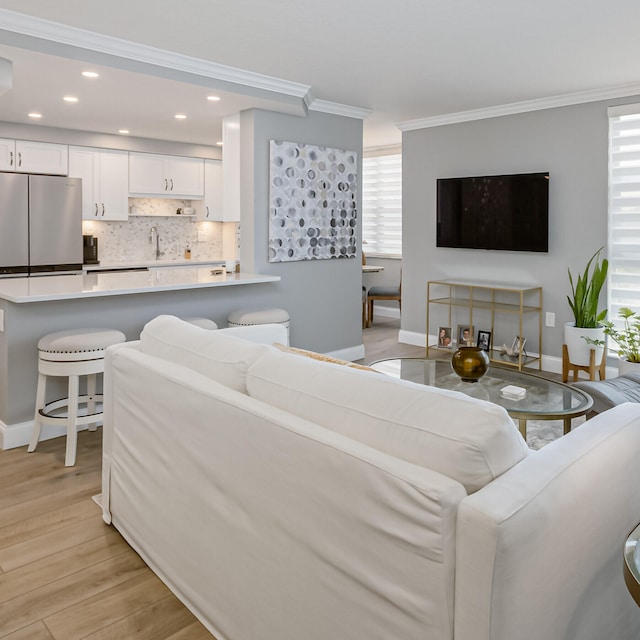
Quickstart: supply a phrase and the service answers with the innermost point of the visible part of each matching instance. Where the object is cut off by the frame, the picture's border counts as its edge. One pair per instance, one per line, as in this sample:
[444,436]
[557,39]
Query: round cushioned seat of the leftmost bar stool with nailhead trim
[78,344]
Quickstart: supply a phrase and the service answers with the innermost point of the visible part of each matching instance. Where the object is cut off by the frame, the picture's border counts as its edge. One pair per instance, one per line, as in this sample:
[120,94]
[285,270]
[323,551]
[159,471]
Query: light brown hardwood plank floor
[64,574]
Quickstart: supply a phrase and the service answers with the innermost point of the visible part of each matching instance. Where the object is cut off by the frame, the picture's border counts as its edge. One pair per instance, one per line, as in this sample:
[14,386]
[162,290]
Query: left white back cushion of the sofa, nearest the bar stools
[216,354]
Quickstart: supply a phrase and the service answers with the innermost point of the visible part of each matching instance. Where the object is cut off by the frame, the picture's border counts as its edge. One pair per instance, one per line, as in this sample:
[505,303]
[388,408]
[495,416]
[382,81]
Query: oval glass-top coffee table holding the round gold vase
[543,399]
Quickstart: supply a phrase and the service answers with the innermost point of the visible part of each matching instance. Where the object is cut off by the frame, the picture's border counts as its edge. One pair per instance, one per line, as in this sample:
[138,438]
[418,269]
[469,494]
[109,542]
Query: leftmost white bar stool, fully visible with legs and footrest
[71,354]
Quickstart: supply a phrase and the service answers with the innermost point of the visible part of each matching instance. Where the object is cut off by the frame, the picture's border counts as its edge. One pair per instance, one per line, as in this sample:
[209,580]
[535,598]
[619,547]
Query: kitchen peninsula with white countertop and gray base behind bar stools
[33,307]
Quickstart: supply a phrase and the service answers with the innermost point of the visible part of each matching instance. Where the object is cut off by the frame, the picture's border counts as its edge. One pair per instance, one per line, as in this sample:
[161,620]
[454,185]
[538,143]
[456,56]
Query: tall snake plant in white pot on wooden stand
[586,332]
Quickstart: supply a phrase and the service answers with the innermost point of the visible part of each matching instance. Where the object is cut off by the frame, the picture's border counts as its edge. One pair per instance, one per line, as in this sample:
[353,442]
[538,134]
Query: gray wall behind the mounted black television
[569,142]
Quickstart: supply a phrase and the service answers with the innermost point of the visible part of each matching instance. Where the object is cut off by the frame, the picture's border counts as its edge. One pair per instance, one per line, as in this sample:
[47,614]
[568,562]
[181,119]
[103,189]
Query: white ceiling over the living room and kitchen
[403,60]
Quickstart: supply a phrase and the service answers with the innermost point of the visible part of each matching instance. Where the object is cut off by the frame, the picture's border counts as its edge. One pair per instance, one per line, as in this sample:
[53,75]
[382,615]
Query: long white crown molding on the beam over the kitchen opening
[74,37]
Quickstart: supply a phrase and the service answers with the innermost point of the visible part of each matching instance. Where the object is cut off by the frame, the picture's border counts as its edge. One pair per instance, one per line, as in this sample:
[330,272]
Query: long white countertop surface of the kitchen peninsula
[96,284]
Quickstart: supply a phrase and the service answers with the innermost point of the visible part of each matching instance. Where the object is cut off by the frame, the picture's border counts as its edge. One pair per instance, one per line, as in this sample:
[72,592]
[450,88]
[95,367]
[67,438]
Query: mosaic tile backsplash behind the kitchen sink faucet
[130,241]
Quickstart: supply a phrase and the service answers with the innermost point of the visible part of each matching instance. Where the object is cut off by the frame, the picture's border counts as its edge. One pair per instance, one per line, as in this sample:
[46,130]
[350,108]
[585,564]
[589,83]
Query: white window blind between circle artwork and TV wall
[382,205]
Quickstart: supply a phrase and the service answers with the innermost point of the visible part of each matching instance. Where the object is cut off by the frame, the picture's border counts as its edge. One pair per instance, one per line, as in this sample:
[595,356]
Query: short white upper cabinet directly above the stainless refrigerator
[25,156]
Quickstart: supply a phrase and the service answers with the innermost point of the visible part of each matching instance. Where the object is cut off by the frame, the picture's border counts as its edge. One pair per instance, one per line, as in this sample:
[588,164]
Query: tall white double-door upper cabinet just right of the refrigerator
[105,182]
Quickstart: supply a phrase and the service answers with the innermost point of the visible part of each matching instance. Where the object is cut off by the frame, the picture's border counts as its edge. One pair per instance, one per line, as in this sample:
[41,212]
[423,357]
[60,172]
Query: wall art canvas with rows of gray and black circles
[313,210]
